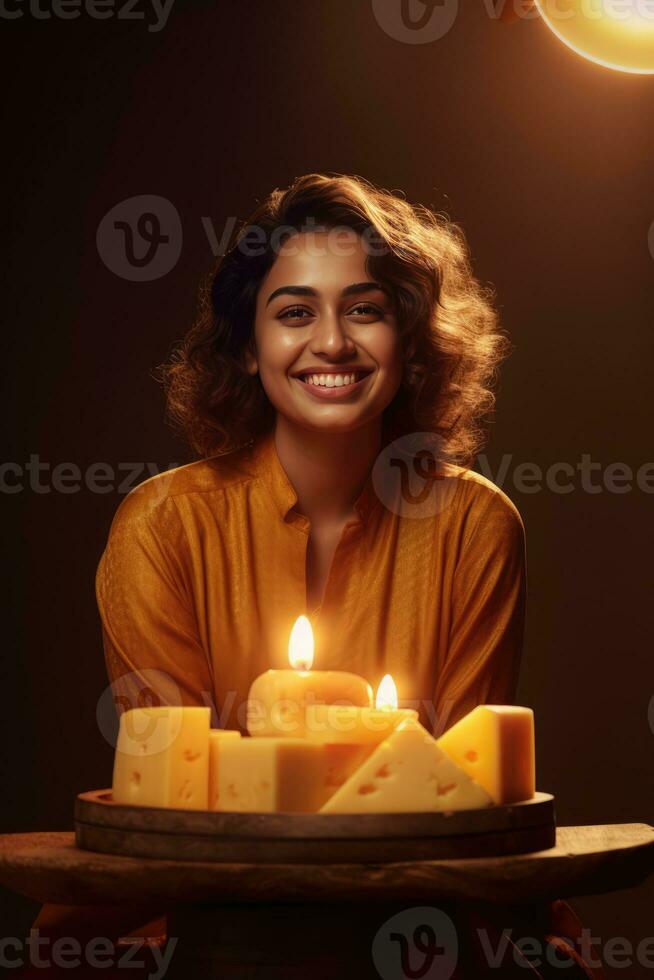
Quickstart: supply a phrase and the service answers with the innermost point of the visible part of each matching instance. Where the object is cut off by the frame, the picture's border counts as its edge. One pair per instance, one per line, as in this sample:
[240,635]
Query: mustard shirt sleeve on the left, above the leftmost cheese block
[152,649]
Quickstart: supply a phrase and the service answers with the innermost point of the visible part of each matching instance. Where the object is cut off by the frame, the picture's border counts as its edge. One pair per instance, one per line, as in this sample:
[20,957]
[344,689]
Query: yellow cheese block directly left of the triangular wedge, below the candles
[272,775]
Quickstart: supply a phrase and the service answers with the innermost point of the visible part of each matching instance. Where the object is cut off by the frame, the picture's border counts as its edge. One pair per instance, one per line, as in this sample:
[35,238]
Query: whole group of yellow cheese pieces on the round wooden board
[170,757]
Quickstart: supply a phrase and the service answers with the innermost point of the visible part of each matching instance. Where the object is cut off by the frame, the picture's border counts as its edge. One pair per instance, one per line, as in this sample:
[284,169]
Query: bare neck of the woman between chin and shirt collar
[327,469]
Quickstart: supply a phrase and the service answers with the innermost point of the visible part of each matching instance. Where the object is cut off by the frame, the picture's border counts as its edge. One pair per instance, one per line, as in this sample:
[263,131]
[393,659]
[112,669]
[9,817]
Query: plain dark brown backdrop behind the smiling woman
[546,160]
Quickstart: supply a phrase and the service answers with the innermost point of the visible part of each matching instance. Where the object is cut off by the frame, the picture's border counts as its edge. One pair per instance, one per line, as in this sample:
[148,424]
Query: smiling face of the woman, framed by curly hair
[326,337]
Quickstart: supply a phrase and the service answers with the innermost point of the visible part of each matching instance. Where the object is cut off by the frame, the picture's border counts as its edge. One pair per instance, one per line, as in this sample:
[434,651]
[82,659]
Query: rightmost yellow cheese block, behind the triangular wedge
[494,743]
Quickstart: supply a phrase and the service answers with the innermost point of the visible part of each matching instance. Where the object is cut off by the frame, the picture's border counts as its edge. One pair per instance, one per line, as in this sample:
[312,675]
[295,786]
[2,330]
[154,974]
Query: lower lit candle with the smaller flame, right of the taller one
[337,724]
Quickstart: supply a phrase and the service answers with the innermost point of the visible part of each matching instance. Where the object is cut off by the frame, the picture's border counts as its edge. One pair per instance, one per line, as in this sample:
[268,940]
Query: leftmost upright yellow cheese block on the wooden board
[162,758]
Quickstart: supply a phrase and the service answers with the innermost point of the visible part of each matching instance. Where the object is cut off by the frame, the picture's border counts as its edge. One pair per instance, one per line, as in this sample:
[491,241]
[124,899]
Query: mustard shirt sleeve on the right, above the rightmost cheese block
[487,615]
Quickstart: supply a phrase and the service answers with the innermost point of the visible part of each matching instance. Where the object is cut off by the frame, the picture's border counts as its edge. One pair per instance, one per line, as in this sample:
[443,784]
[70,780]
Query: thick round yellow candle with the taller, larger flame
[279,699]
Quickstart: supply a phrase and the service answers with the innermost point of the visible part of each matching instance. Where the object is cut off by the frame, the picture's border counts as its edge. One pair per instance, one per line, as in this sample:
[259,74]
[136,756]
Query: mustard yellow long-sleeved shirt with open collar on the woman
[204,574]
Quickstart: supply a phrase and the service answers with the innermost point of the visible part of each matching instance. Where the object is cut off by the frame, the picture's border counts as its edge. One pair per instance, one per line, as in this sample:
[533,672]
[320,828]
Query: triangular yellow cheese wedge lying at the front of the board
[407,773]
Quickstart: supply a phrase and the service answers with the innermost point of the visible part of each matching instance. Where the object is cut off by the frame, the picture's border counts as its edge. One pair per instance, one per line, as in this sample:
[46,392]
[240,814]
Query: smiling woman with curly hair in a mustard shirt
[333,387]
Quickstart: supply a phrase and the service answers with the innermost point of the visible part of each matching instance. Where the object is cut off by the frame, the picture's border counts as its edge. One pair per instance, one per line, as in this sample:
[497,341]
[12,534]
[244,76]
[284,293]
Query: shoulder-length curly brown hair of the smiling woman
[450,338]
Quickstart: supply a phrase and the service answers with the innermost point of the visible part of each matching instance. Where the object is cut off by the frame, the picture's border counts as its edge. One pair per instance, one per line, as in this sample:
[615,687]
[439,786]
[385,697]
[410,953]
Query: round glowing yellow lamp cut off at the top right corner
[617,34]
